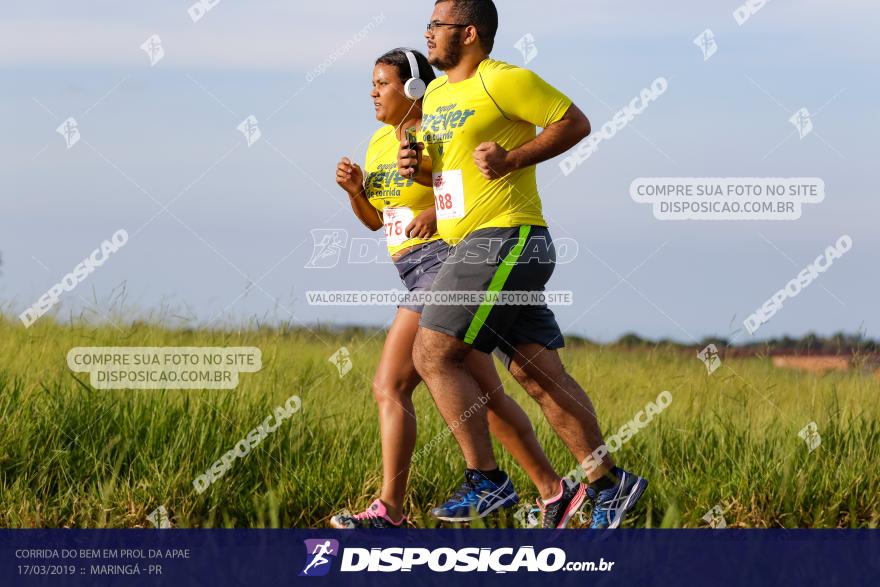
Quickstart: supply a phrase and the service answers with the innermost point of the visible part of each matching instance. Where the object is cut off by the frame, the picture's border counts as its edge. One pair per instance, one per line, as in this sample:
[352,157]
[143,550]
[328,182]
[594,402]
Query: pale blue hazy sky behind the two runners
[235,241]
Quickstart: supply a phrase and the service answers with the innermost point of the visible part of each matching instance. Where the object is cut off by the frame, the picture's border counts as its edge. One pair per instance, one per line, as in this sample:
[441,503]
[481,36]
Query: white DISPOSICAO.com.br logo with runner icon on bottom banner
[443,559]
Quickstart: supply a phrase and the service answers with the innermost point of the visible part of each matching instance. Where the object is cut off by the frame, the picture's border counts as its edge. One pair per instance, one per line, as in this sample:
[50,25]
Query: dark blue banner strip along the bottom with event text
[434,557]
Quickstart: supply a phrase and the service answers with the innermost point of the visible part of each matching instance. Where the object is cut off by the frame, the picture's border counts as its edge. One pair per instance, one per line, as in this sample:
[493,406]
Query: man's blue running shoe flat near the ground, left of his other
[476,498]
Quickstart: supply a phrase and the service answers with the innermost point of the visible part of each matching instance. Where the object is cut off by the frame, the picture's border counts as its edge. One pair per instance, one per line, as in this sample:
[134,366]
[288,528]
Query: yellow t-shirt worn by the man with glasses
[504,104]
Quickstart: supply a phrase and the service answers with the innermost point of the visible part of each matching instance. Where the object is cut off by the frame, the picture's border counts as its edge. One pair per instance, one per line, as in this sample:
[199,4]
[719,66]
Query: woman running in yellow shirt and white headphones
[382,199]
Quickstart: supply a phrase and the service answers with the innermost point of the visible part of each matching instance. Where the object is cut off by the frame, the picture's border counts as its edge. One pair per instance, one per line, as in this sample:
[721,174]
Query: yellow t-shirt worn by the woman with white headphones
[399,199]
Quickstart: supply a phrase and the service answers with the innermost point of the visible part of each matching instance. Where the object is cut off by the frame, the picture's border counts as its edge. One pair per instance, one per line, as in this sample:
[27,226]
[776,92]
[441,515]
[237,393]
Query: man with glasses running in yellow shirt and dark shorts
[479,129]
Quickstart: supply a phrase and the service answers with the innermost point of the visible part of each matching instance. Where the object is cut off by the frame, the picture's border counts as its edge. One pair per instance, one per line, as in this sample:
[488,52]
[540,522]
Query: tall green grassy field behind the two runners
[71,456]
